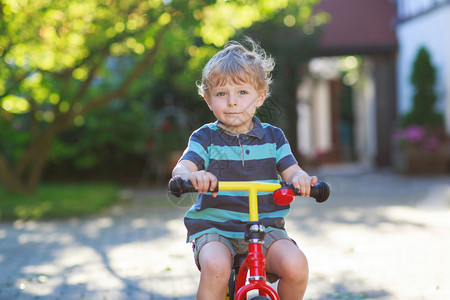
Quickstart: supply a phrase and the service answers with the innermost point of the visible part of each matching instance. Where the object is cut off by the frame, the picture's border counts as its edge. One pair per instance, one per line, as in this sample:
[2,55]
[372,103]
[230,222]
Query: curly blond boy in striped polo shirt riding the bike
[238,147]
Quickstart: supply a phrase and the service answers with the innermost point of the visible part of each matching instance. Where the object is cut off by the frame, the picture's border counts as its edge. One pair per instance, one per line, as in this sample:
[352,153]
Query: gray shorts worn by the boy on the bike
[238,246]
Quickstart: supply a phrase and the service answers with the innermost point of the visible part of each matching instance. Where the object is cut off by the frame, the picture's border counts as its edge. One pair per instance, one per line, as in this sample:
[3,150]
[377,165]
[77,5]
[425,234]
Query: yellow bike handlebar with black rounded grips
[179,186]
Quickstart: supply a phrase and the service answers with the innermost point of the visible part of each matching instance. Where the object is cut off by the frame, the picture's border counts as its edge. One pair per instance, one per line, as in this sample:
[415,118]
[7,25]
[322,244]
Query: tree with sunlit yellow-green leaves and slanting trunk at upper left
[56,59]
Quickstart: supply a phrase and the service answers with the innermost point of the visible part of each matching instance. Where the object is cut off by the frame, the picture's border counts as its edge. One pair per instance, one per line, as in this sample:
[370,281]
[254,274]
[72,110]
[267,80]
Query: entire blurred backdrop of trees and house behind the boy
[104,91]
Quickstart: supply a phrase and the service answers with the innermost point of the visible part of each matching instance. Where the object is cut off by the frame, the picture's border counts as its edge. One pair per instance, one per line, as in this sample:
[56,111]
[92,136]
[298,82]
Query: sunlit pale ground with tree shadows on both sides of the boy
[379,236]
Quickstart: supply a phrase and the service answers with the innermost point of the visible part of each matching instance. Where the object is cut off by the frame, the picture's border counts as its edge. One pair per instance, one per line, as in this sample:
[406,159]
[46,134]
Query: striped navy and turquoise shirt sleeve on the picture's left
[197,149]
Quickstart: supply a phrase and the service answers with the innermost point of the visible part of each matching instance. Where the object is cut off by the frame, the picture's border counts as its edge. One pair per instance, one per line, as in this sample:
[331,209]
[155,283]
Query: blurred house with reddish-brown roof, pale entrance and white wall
[358,82]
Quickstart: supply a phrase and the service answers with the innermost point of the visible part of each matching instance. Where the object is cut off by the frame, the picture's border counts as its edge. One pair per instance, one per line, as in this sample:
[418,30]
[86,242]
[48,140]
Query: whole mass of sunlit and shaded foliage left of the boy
[63,60]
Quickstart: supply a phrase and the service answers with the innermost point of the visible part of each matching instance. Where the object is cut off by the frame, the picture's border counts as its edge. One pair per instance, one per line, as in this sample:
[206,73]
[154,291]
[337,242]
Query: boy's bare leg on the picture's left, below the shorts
[215,262]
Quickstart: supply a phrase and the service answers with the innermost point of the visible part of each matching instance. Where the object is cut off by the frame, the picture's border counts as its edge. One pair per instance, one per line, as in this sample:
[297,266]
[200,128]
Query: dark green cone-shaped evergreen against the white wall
[423,79]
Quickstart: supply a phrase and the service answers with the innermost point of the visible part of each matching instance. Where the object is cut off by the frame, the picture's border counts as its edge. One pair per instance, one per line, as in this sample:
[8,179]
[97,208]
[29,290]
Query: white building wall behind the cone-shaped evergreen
[432,30]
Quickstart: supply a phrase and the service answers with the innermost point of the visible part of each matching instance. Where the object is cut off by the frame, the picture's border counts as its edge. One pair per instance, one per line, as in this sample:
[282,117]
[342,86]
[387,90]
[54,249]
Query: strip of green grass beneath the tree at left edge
[57,201]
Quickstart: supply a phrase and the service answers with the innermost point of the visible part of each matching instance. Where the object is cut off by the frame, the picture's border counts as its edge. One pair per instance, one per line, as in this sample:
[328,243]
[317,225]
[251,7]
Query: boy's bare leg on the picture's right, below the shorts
[287,261]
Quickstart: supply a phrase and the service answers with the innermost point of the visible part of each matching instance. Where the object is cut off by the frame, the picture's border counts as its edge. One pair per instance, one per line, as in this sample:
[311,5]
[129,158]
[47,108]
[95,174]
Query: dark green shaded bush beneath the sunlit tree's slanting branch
[108,135]
